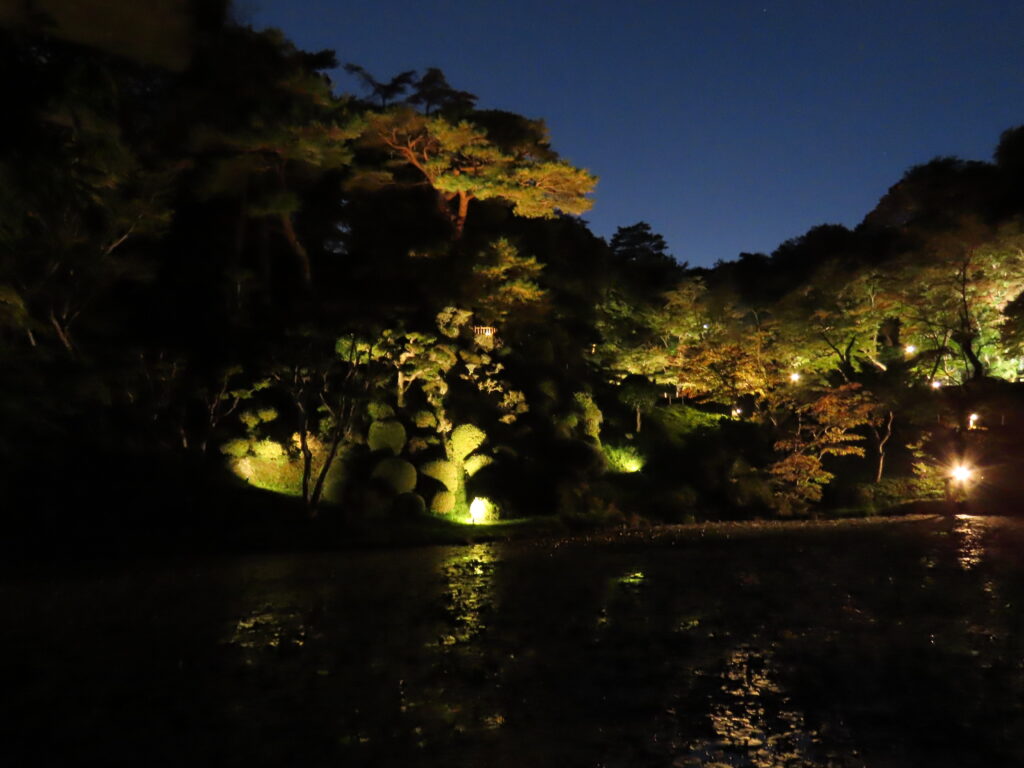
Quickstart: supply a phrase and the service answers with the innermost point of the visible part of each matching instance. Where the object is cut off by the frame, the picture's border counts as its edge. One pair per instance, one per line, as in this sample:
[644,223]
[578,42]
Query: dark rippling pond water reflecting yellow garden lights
[882,646]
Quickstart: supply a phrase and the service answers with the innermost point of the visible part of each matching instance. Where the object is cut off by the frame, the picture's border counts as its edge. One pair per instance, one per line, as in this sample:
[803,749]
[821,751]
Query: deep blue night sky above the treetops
[729,125]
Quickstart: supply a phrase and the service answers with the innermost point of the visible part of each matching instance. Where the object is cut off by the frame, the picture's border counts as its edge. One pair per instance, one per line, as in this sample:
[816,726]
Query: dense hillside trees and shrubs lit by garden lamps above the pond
[388,305]
